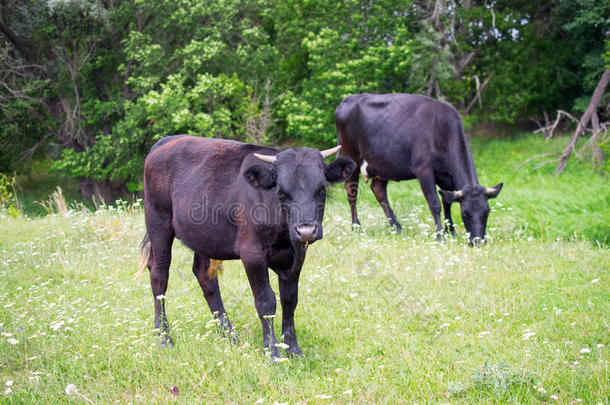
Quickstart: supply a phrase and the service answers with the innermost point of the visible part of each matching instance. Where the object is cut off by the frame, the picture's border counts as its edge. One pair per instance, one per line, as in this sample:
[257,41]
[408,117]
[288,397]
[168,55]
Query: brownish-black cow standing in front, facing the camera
[229,200]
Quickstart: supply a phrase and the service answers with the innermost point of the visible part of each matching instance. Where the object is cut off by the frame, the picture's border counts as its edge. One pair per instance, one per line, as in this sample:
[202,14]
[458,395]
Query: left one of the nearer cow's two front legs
[264,300]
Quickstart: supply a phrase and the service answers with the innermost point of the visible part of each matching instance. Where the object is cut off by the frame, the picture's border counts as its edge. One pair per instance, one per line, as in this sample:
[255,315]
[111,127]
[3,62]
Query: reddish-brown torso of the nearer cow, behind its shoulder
[196,182]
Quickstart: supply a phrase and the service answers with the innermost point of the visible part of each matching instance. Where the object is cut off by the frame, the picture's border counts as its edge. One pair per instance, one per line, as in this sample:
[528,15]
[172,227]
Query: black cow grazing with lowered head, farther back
[407,136]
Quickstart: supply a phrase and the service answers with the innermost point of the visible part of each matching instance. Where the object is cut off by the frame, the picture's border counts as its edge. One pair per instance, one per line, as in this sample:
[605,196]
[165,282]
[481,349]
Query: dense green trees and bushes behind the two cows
[94,84]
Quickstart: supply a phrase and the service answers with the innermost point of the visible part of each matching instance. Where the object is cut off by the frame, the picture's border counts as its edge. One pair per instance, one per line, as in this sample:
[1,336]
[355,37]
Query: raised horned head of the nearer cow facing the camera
[299,177]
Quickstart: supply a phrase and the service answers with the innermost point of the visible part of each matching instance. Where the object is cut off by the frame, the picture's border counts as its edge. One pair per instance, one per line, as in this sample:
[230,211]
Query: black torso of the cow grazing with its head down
[396,132]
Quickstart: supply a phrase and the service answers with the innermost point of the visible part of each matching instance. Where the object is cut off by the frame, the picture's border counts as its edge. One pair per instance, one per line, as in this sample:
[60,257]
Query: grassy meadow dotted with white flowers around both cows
[382,318]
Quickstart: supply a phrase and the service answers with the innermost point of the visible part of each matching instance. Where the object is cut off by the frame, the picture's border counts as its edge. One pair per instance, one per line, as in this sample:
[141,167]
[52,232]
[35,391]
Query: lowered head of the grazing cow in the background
[475,208]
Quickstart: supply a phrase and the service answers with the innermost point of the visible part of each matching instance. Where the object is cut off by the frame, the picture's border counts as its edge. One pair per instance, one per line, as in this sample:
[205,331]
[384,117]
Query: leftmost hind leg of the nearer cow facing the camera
[161,238]
